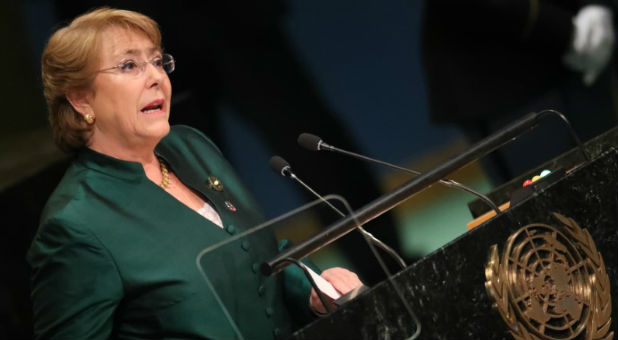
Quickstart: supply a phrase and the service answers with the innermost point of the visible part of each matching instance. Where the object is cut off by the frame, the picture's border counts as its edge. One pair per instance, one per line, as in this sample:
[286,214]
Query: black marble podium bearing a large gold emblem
[530,272]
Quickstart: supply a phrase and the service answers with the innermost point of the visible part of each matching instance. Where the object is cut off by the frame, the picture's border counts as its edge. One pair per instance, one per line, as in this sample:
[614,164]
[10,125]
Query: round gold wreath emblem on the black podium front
[551,284]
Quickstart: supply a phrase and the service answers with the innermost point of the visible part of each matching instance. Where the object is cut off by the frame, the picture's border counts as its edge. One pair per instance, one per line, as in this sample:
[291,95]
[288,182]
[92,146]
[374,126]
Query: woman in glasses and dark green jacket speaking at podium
[114,255]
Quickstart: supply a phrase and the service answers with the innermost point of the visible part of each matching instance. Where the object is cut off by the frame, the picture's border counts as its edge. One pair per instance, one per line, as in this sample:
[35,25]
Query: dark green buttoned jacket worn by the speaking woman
[115,255]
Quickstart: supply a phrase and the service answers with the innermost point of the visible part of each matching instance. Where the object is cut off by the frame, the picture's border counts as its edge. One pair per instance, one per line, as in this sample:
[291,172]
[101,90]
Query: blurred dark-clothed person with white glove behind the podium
[488,63]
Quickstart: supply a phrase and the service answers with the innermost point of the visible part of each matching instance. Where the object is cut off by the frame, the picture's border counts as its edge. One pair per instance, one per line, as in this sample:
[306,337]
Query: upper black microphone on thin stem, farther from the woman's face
[315,143]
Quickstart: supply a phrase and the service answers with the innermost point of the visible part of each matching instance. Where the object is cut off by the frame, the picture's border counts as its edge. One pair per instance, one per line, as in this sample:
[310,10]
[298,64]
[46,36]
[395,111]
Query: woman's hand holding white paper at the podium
[342,280]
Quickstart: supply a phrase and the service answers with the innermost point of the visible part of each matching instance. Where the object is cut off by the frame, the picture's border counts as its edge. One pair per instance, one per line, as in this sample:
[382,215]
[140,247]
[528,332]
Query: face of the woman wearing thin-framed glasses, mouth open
[131,111]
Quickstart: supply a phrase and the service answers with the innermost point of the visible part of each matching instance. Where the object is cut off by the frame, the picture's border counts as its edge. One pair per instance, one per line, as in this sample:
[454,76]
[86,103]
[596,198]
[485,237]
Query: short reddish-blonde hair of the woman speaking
[68,64]
